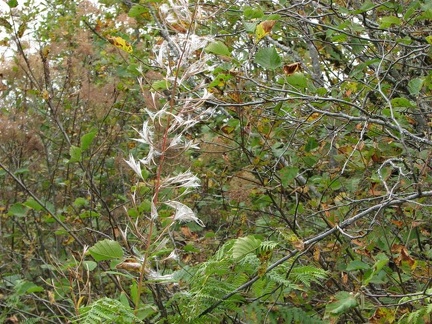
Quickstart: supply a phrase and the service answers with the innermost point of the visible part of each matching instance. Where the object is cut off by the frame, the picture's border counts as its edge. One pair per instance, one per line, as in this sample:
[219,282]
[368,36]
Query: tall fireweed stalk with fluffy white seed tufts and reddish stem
[168,122]
